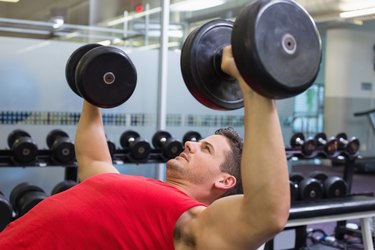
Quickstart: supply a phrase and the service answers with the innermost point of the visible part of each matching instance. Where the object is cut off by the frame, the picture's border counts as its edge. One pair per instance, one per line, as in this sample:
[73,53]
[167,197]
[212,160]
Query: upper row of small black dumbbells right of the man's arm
[322,146]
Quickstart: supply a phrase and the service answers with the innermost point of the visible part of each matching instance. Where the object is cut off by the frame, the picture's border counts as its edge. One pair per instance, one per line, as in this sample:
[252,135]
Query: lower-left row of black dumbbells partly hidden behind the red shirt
[25,196]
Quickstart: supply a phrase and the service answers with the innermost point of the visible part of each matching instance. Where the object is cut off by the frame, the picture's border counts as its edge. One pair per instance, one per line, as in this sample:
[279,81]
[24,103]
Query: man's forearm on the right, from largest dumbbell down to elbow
[264,165]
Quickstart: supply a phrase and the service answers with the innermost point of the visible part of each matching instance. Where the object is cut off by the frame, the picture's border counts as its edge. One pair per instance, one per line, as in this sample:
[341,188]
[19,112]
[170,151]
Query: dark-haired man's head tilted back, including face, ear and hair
[210,168]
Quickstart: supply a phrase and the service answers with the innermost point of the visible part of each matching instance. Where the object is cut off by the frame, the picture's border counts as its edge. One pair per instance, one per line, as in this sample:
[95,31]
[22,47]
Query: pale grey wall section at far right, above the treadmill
[349,84]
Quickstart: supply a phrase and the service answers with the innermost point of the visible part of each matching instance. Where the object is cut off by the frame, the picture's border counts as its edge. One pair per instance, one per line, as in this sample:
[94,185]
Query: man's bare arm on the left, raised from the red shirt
[91,147]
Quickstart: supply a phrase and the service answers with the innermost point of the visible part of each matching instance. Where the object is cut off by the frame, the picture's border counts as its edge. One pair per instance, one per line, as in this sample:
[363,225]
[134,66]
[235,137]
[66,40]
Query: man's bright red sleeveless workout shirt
[107,211]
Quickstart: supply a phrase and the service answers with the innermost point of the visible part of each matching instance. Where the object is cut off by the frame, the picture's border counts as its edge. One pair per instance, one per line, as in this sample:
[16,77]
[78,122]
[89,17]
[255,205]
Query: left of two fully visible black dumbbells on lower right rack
[309,189]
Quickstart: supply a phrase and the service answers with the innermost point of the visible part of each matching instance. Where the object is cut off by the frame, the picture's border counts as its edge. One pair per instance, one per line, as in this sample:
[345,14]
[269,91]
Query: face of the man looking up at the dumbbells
[200,162]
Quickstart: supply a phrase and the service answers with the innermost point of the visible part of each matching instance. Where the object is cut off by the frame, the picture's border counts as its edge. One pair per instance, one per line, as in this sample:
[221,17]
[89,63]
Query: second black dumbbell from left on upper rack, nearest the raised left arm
[61,147]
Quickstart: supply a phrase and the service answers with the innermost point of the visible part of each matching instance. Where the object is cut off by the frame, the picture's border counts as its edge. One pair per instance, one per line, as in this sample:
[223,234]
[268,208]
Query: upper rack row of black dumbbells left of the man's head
[24,151]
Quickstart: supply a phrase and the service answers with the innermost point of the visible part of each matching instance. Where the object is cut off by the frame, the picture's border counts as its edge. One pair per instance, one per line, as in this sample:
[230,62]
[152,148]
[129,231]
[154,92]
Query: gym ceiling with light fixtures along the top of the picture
[90,18]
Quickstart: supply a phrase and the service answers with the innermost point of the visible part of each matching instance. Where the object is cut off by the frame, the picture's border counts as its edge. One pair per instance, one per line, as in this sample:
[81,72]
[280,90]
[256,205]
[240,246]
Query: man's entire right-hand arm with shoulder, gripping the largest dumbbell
[246,221]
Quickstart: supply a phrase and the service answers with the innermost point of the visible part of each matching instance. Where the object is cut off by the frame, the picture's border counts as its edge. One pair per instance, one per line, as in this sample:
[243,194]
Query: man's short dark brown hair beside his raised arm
[232,163]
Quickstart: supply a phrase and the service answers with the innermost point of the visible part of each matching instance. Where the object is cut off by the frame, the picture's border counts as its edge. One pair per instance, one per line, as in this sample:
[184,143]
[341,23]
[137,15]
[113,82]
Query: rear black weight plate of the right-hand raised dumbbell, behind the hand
[201,67]
